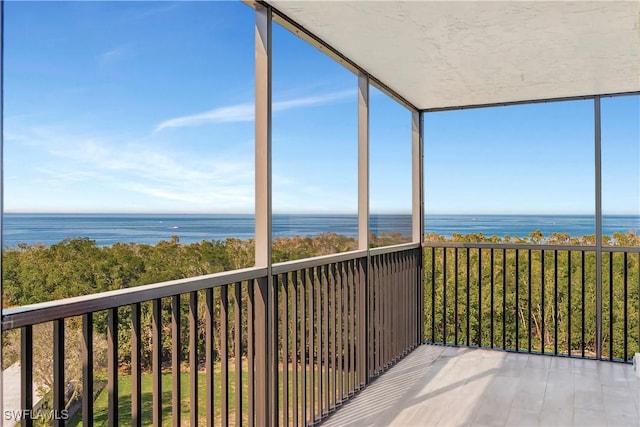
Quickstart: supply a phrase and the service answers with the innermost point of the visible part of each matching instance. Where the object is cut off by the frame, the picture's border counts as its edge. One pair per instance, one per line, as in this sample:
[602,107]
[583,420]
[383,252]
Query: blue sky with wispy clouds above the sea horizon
[148,107]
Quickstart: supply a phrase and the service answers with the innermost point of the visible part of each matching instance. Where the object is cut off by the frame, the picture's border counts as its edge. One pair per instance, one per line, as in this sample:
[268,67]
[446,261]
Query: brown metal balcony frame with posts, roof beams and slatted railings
[358,312]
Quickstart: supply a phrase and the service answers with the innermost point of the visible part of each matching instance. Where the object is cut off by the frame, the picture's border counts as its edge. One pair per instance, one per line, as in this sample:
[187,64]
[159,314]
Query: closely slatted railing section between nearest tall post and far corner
[339,321]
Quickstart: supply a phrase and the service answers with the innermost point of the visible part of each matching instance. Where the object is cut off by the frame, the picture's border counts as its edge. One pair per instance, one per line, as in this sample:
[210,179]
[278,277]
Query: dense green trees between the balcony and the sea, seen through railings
[497,295]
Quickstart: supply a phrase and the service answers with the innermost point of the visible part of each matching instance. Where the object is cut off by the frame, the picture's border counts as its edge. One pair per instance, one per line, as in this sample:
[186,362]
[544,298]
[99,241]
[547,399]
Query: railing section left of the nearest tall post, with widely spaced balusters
[227,302]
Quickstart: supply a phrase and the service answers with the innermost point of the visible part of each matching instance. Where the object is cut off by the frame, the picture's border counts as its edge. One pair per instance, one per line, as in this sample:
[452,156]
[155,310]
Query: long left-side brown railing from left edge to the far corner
[243,347]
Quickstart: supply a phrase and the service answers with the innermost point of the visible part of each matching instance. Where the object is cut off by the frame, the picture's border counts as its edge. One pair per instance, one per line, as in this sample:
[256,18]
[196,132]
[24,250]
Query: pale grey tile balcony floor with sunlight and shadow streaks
[446,386]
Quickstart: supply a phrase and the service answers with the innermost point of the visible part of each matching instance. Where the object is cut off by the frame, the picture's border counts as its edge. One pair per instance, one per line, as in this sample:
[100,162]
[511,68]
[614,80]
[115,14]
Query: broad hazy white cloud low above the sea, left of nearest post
[156,177]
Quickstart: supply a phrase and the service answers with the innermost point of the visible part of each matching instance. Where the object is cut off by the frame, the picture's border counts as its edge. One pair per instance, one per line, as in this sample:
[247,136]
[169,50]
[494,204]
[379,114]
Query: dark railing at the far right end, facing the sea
[533,298]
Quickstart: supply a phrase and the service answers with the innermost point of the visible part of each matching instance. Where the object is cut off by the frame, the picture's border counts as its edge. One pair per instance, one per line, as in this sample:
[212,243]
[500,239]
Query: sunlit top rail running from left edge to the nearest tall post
[17,317]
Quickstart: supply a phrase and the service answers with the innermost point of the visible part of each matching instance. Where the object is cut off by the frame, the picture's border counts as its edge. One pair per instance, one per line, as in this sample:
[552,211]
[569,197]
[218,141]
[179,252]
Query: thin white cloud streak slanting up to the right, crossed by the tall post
[246,113]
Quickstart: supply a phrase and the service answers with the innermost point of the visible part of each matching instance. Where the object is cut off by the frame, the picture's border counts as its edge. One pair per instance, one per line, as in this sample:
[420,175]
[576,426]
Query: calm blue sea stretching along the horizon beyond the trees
[107,229]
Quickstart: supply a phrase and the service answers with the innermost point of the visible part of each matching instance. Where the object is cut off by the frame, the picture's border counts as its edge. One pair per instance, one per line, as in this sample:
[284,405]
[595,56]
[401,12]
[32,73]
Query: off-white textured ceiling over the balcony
[440,54]
